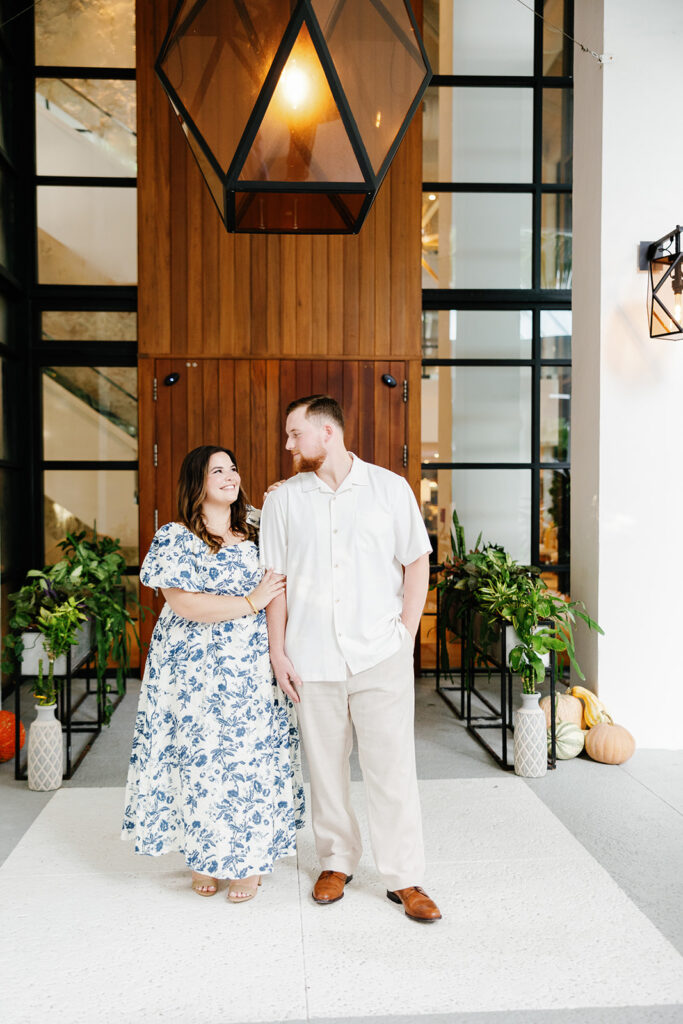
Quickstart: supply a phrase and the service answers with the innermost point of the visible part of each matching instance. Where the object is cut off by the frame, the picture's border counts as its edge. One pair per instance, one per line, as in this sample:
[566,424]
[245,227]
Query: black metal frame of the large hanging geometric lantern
[230,180]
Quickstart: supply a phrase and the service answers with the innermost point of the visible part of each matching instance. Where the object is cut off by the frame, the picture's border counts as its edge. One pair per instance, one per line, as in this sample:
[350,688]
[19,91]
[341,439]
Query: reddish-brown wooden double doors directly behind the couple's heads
[241,404]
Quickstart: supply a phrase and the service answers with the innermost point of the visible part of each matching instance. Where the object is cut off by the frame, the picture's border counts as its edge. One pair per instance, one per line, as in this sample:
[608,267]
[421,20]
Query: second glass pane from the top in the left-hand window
[86,127]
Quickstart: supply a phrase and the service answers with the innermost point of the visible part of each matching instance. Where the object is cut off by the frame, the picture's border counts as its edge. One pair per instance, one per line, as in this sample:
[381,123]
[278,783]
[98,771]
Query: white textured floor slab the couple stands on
[532,922]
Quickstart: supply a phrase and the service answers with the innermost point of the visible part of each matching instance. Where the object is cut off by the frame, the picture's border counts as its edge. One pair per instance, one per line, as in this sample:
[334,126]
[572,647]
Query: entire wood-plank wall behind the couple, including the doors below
[252,322]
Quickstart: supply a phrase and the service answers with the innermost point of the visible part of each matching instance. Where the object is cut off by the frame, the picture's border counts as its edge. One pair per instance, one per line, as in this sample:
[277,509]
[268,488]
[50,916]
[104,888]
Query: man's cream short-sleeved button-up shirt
[343,552]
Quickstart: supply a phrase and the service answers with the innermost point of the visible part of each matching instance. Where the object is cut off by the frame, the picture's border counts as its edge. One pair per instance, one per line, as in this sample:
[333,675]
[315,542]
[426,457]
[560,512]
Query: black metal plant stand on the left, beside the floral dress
[67,708]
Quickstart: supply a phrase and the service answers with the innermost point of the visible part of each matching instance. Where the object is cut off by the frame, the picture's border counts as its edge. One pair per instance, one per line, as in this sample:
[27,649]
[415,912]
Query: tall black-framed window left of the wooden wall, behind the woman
[84,303]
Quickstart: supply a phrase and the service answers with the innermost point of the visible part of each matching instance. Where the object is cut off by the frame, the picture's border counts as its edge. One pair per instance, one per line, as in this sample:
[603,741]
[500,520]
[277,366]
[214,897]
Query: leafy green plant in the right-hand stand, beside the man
[489,584]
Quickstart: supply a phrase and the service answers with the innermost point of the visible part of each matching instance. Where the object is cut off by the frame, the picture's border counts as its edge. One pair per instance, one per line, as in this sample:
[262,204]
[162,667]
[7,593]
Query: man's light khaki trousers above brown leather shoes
[380,705]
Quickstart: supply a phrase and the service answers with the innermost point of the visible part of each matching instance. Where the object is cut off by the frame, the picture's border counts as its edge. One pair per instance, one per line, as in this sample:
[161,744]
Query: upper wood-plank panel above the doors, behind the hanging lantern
[206,293]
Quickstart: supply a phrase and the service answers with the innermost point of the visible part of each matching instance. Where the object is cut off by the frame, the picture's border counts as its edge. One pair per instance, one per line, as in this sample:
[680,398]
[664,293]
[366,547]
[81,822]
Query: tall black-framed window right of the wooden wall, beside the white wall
[497,278]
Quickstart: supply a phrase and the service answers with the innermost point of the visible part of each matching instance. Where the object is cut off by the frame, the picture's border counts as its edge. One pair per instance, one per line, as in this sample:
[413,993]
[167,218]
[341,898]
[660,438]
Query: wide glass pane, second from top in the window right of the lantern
[475,135]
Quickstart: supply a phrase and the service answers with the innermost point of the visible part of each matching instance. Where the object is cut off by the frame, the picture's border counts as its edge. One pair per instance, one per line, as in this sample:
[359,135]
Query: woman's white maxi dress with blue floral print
[215,773]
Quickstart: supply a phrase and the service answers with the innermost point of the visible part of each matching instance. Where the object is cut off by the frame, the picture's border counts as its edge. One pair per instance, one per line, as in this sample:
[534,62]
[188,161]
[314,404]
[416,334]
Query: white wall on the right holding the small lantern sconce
[628,413]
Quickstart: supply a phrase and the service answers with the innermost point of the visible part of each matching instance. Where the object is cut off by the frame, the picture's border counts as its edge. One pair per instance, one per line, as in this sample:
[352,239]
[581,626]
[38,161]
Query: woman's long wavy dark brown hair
[192,492]
